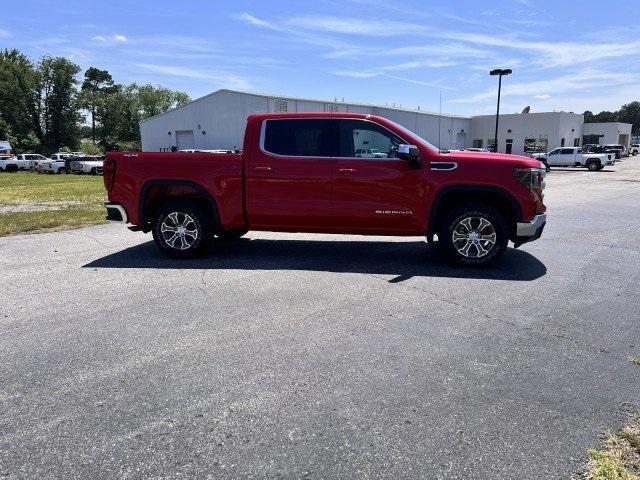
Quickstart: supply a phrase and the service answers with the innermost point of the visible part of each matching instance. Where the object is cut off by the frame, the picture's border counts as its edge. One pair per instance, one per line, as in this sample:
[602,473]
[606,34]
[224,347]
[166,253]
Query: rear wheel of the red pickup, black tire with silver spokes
[189,216]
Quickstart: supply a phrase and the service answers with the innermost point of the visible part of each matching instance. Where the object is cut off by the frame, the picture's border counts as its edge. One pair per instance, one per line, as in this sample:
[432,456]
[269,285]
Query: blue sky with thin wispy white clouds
[566,55]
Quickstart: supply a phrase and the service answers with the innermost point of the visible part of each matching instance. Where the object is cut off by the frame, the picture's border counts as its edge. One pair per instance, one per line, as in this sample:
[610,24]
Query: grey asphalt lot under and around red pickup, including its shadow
[309,356]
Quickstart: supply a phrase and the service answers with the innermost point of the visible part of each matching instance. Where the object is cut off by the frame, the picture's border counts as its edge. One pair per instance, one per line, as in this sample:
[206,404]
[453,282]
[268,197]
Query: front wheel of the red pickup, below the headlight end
[471,215]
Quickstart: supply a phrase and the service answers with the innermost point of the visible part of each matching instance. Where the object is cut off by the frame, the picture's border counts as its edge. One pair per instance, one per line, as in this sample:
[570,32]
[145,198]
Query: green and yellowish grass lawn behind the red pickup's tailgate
[31,202]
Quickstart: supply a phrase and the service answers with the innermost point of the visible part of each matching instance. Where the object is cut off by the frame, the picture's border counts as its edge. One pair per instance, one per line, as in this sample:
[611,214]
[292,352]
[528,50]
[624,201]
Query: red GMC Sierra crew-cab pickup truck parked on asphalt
[330,173]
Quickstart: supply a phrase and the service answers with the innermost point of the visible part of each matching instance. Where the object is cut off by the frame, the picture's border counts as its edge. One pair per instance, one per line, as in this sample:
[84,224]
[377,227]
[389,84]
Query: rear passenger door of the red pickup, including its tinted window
[289,175]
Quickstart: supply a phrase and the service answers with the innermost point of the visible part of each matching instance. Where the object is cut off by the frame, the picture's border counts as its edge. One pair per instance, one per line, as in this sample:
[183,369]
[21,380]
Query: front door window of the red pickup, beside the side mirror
[361,139]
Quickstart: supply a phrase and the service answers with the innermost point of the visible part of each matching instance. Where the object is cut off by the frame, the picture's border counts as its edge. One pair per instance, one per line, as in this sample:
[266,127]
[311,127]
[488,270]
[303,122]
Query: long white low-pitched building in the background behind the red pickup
[217,121]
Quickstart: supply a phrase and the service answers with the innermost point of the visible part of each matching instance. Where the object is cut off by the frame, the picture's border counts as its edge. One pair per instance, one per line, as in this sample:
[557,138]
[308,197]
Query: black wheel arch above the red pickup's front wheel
[453,196]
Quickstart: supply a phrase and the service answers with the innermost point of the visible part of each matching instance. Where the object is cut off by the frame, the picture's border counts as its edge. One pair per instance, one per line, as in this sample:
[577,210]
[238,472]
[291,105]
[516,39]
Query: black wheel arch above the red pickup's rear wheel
[156,192]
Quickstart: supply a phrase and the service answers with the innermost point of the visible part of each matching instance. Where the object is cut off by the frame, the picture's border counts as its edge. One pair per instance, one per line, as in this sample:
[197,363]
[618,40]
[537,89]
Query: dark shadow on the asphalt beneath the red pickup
[404,260]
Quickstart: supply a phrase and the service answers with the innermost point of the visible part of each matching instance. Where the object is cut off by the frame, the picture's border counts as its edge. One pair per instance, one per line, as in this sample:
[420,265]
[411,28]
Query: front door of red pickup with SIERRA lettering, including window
[380,193]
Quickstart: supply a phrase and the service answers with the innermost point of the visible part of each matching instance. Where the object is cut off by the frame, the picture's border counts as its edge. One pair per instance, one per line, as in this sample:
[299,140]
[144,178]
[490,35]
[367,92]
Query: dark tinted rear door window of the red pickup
[301,137]
